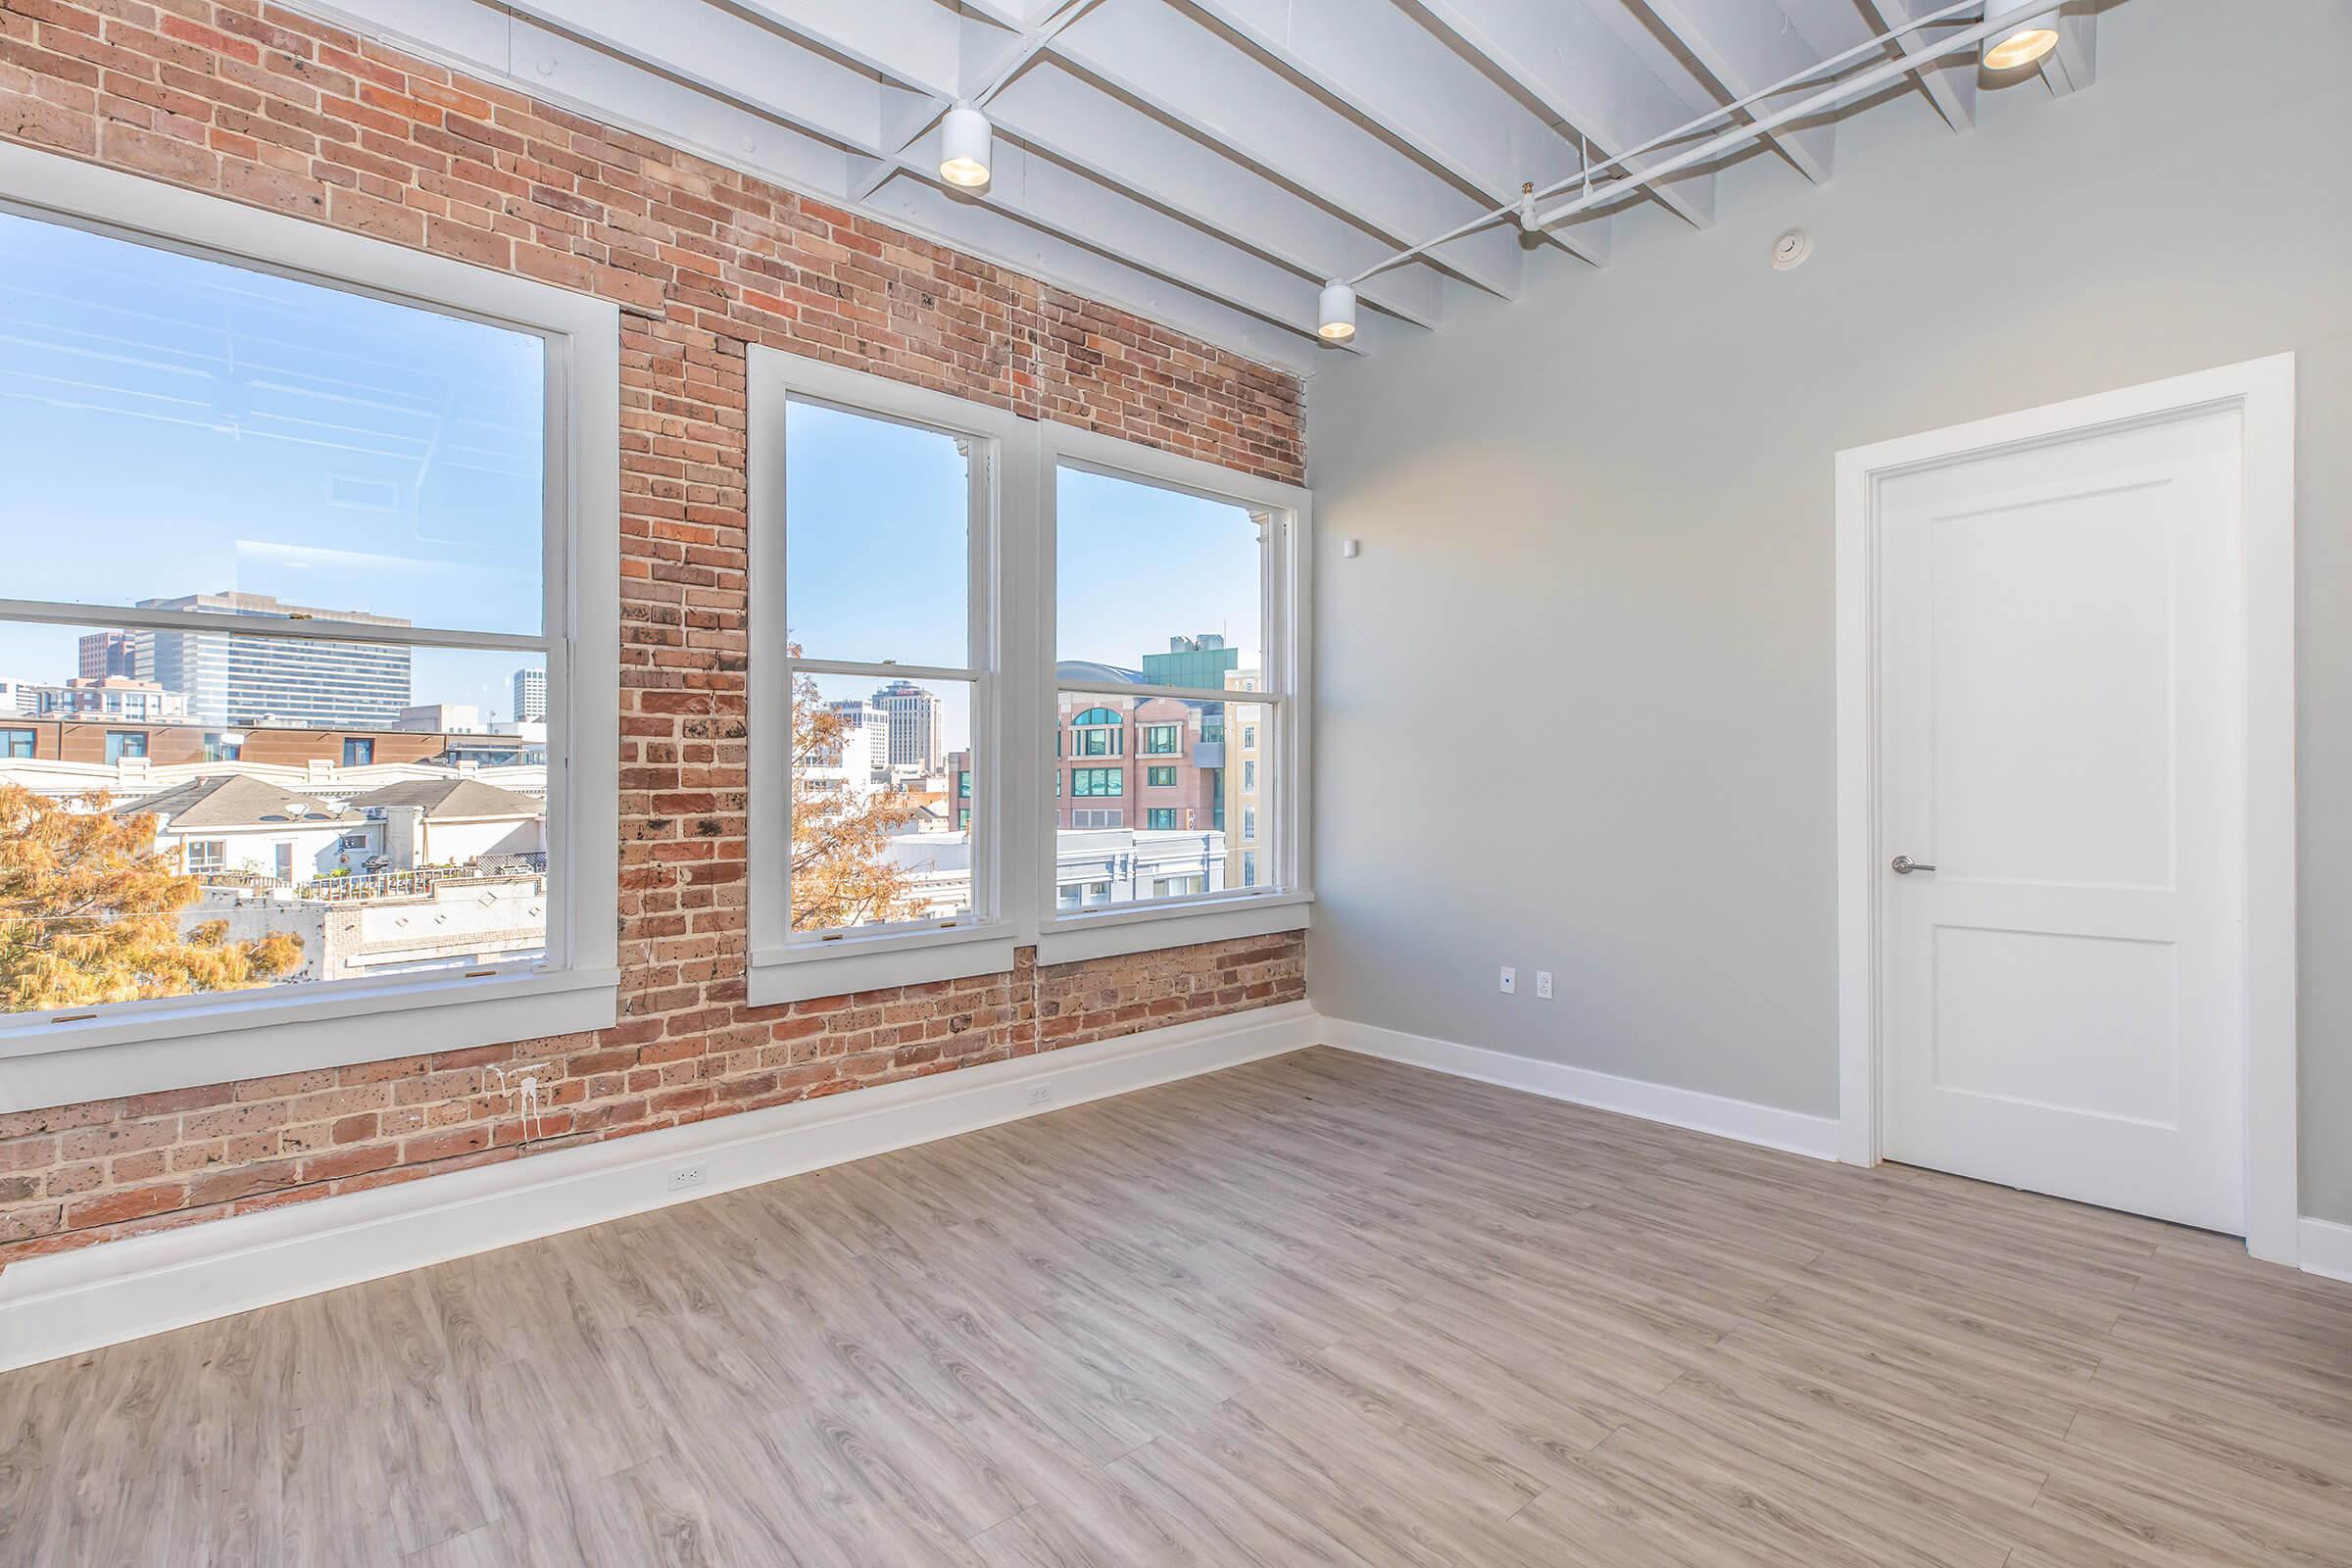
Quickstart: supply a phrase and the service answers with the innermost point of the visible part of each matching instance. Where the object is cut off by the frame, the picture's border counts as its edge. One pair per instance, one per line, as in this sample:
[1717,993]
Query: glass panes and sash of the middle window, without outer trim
[888,690]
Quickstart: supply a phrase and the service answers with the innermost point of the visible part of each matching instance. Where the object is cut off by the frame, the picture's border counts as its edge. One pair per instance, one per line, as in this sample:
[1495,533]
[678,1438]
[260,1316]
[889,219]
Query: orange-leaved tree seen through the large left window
[91,911]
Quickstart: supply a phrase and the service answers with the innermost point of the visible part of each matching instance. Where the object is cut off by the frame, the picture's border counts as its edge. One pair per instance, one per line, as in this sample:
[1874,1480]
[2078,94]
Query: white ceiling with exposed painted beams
[1208,163]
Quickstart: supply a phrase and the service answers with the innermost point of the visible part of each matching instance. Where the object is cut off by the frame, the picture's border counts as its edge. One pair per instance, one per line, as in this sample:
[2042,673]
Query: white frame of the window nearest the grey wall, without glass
[1288,551]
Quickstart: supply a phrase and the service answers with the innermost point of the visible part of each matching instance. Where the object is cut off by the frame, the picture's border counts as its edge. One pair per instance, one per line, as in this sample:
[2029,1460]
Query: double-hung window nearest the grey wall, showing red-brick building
[1177,596]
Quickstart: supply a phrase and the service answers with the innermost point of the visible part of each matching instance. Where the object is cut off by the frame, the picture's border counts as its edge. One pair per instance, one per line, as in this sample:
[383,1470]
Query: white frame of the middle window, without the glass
[787,965]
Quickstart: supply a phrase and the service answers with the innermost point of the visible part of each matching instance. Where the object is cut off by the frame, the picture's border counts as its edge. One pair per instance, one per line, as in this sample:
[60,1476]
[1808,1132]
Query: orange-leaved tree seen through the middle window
[841,831]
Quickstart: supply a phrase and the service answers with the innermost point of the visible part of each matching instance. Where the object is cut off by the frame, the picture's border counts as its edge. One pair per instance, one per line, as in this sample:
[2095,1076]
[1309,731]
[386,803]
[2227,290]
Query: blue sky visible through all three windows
[173,424]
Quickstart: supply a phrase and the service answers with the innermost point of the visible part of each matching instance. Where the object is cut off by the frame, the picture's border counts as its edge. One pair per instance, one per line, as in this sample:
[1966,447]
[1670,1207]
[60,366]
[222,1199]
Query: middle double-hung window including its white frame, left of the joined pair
[876,577]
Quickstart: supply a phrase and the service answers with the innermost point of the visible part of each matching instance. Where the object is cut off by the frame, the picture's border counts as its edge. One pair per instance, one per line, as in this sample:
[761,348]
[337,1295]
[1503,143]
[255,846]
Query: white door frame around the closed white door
[2266,396]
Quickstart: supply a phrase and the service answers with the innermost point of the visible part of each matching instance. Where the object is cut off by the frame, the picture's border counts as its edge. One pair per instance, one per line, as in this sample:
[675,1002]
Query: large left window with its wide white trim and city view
[300,488]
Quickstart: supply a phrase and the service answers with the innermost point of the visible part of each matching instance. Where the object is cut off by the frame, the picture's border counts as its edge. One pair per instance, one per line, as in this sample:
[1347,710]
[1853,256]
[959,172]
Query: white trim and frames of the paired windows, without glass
[1013,730]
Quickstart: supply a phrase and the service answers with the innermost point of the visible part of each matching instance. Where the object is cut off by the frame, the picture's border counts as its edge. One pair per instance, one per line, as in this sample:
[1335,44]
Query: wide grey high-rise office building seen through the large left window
[290,681]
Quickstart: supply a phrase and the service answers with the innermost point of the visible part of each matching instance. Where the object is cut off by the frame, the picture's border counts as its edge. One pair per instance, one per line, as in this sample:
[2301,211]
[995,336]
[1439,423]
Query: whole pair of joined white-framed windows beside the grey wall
[975,643]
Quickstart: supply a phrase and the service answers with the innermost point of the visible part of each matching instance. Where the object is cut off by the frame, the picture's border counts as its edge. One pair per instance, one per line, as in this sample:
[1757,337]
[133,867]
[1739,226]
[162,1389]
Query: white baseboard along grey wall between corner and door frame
[1702,1113]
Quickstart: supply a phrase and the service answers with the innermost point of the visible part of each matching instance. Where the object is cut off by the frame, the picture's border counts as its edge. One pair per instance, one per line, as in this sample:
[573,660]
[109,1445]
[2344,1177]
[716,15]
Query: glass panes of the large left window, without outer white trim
[359,504]
